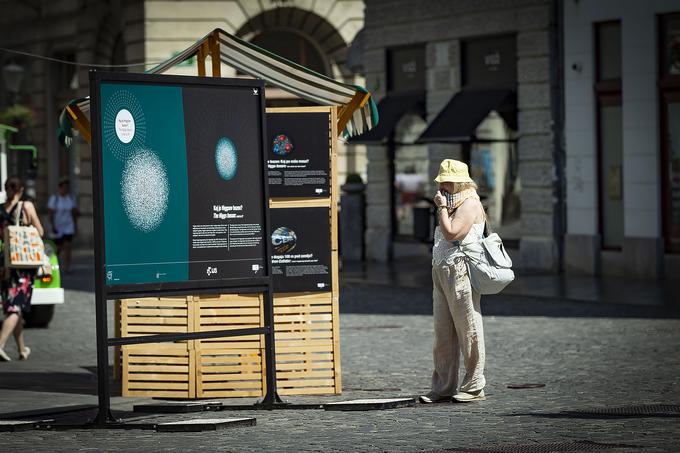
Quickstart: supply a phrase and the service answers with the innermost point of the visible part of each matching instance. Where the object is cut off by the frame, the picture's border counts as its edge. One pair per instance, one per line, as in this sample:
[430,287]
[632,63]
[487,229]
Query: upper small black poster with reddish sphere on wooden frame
[298,153]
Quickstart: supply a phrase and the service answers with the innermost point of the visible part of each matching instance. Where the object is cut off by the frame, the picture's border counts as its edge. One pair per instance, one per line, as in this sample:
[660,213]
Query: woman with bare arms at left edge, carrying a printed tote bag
[17,284]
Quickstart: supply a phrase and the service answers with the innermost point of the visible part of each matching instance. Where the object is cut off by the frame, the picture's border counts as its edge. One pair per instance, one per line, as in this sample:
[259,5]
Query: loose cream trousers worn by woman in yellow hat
[457,329]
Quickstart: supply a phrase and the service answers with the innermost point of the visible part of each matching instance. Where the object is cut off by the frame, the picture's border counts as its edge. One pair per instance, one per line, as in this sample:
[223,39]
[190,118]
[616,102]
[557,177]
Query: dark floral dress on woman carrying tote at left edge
[17,284]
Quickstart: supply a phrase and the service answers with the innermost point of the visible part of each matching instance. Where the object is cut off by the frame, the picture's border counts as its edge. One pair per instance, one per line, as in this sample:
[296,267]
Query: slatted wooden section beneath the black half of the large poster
[232,366]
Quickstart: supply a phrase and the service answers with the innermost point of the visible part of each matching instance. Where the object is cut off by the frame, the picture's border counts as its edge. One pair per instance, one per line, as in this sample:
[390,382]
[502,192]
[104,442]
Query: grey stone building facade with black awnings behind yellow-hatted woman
[473,81]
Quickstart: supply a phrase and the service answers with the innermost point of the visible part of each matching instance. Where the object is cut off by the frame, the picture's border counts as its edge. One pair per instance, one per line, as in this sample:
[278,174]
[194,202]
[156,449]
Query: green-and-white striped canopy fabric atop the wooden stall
[358,113]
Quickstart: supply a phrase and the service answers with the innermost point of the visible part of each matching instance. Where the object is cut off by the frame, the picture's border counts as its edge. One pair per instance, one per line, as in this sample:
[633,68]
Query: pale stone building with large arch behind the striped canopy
[140,34]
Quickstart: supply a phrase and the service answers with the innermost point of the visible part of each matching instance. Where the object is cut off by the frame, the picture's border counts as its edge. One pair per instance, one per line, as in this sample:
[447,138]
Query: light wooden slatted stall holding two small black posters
[302,237]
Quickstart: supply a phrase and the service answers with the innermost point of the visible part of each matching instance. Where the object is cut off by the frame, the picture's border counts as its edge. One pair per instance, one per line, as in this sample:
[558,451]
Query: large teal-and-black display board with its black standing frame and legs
[180,209]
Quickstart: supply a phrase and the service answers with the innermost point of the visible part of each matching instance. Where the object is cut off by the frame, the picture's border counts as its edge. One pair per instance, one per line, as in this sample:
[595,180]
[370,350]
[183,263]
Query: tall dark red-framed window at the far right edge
[669,96]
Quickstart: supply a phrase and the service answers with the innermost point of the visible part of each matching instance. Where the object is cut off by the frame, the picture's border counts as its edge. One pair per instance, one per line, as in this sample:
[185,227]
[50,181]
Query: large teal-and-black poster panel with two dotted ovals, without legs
[181,190]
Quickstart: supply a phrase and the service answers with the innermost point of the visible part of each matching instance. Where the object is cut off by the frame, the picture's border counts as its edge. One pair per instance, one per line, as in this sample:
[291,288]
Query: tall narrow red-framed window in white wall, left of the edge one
[609,132]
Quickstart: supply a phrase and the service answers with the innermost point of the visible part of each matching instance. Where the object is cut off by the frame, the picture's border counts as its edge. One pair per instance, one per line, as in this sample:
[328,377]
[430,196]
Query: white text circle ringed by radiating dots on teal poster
[124,124]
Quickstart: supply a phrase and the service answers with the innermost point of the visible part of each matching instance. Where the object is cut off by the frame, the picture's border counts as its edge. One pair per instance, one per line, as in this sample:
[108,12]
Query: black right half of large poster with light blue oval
[225,189]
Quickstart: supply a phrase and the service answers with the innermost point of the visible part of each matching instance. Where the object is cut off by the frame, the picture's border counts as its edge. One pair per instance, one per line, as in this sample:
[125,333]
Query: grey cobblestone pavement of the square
[585,359]
